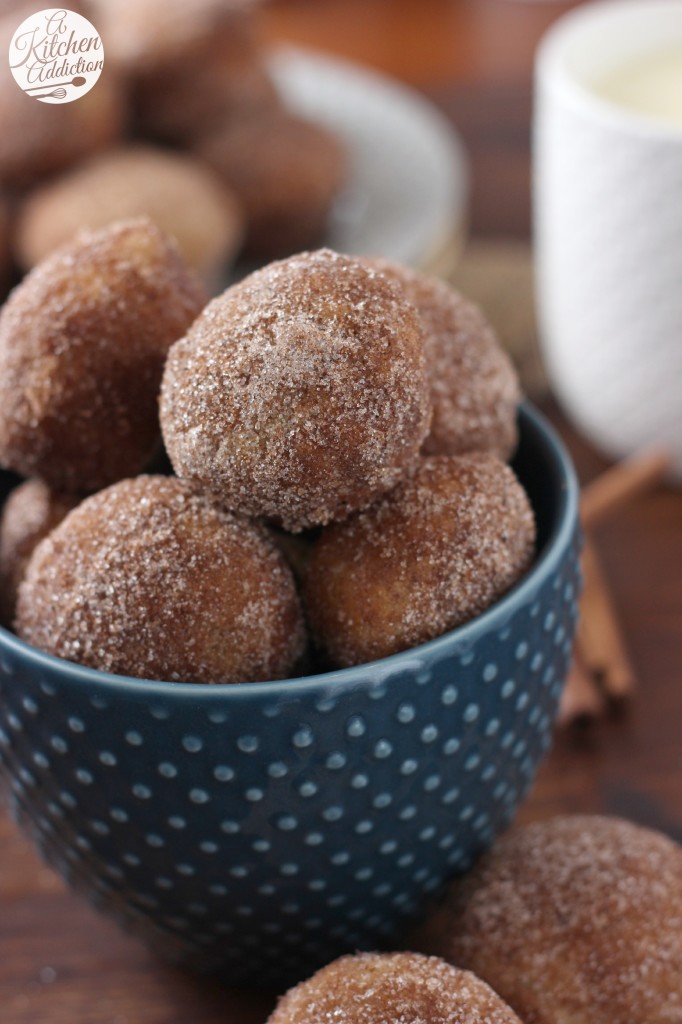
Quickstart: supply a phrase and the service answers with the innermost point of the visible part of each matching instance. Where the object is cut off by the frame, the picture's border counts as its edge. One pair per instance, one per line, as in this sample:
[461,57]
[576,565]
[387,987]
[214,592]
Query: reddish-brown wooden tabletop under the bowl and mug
[60,962]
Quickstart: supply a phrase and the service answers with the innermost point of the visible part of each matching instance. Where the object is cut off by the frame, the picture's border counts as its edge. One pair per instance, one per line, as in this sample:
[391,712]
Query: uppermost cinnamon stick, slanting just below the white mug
[621,484]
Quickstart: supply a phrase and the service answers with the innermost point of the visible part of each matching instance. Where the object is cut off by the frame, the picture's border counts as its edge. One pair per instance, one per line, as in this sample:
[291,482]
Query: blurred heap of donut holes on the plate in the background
[185,125]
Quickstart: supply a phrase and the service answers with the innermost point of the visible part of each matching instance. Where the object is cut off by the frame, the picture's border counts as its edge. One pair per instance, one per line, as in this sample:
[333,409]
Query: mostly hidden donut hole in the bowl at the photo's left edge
[30,514]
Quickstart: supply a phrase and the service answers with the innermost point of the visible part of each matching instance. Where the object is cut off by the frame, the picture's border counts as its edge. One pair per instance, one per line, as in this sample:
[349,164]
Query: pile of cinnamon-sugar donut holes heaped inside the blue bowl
[331,494]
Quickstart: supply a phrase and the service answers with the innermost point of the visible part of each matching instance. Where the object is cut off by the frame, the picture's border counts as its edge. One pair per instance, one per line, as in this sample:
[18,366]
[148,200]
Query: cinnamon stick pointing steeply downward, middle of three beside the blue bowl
[600,634]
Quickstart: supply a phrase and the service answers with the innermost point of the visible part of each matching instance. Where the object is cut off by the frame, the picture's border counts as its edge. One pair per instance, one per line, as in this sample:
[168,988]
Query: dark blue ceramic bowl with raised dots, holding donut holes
[261,830]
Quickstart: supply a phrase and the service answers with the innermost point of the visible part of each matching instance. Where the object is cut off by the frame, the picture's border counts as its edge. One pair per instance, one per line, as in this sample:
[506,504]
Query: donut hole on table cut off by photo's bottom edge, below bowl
[382,989]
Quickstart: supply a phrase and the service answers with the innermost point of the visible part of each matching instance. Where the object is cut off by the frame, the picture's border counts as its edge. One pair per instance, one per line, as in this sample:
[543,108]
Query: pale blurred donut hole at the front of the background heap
[180,194]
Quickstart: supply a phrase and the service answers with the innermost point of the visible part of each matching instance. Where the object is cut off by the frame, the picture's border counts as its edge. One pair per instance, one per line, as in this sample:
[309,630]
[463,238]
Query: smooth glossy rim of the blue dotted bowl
[462,637]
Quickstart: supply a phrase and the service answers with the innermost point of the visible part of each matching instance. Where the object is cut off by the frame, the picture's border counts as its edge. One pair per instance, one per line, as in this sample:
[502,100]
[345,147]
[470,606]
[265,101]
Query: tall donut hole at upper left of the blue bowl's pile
[83,342]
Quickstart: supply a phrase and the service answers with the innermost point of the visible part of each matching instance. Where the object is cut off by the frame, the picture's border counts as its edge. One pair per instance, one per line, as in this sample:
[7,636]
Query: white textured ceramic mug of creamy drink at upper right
[609,232]
